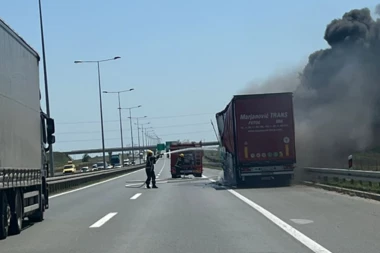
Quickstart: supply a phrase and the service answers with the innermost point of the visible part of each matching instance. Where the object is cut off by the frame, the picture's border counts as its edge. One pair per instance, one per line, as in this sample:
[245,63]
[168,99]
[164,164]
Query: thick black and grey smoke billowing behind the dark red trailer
[337,93]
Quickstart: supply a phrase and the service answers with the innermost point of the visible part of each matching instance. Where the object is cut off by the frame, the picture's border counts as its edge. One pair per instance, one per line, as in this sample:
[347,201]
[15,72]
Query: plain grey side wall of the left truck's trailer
[19,103]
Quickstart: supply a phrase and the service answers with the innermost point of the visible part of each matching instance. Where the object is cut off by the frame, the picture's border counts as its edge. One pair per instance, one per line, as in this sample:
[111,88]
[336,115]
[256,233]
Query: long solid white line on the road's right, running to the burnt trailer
[312,245]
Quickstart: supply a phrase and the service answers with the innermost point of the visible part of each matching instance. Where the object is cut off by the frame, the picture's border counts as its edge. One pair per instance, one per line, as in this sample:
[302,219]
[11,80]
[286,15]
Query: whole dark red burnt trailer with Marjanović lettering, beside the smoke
[258,138]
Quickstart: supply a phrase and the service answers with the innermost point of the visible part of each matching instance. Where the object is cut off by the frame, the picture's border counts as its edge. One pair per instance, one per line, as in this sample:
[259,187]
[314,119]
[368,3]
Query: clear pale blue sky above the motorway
[181,58]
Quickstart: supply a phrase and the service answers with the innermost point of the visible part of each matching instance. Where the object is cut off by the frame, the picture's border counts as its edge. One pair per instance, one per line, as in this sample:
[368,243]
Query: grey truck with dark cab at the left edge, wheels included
[25,135]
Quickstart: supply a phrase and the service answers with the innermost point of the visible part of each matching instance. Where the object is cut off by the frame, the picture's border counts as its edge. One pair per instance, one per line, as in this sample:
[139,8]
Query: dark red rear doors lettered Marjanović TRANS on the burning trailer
[265,129]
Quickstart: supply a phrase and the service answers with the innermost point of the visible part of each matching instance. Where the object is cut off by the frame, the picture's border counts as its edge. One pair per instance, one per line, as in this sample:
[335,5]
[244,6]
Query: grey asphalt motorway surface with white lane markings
[197,216]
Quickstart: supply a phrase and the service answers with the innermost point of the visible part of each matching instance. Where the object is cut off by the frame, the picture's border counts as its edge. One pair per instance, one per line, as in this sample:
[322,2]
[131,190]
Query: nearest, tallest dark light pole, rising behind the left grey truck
[51,155]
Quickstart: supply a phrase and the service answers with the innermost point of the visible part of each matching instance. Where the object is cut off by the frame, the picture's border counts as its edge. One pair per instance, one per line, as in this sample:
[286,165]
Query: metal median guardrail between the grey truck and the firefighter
[58,184]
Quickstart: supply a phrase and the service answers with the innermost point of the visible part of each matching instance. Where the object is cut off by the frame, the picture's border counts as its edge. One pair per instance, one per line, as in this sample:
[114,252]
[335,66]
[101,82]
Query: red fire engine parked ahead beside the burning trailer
[192,161]
